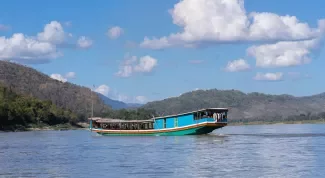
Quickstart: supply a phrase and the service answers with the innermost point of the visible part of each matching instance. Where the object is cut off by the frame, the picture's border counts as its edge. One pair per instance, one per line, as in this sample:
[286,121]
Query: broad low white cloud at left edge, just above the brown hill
[26,49]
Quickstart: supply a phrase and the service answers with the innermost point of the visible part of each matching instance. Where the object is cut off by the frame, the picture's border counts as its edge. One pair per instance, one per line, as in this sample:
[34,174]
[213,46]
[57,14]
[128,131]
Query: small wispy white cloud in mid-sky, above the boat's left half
[132,65]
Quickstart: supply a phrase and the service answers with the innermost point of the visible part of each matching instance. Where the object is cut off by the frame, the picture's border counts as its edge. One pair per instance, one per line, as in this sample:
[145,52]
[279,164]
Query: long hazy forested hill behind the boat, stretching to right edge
[242,106]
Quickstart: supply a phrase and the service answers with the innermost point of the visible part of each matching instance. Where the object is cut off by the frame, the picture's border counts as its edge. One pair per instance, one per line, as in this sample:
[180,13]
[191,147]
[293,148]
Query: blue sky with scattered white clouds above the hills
[151,50]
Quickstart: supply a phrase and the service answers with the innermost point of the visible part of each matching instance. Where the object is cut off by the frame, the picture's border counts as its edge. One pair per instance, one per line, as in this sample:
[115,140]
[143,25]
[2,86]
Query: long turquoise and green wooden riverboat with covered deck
[198,122]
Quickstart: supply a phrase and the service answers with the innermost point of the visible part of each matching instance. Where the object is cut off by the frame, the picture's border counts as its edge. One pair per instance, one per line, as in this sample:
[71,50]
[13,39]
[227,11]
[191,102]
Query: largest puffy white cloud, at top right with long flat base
[226,21]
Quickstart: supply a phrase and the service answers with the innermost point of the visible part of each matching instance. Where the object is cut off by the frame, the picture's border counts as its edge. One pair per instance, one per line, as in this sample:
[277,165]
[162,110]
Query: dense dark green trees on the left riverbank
[22,112]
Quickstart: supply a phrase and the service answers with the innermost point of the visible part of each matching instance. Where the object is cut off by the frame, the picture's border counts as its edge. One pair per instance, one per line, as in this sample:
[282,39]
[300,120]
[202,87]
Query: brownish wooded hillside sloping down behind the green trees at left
[29,82]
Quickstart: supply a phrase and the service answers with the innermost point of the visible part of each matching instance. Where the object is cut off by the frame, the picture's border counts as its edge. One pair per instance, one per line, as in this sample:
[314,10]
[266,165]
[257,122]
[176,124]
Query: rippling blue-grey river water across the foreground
[233,151]
